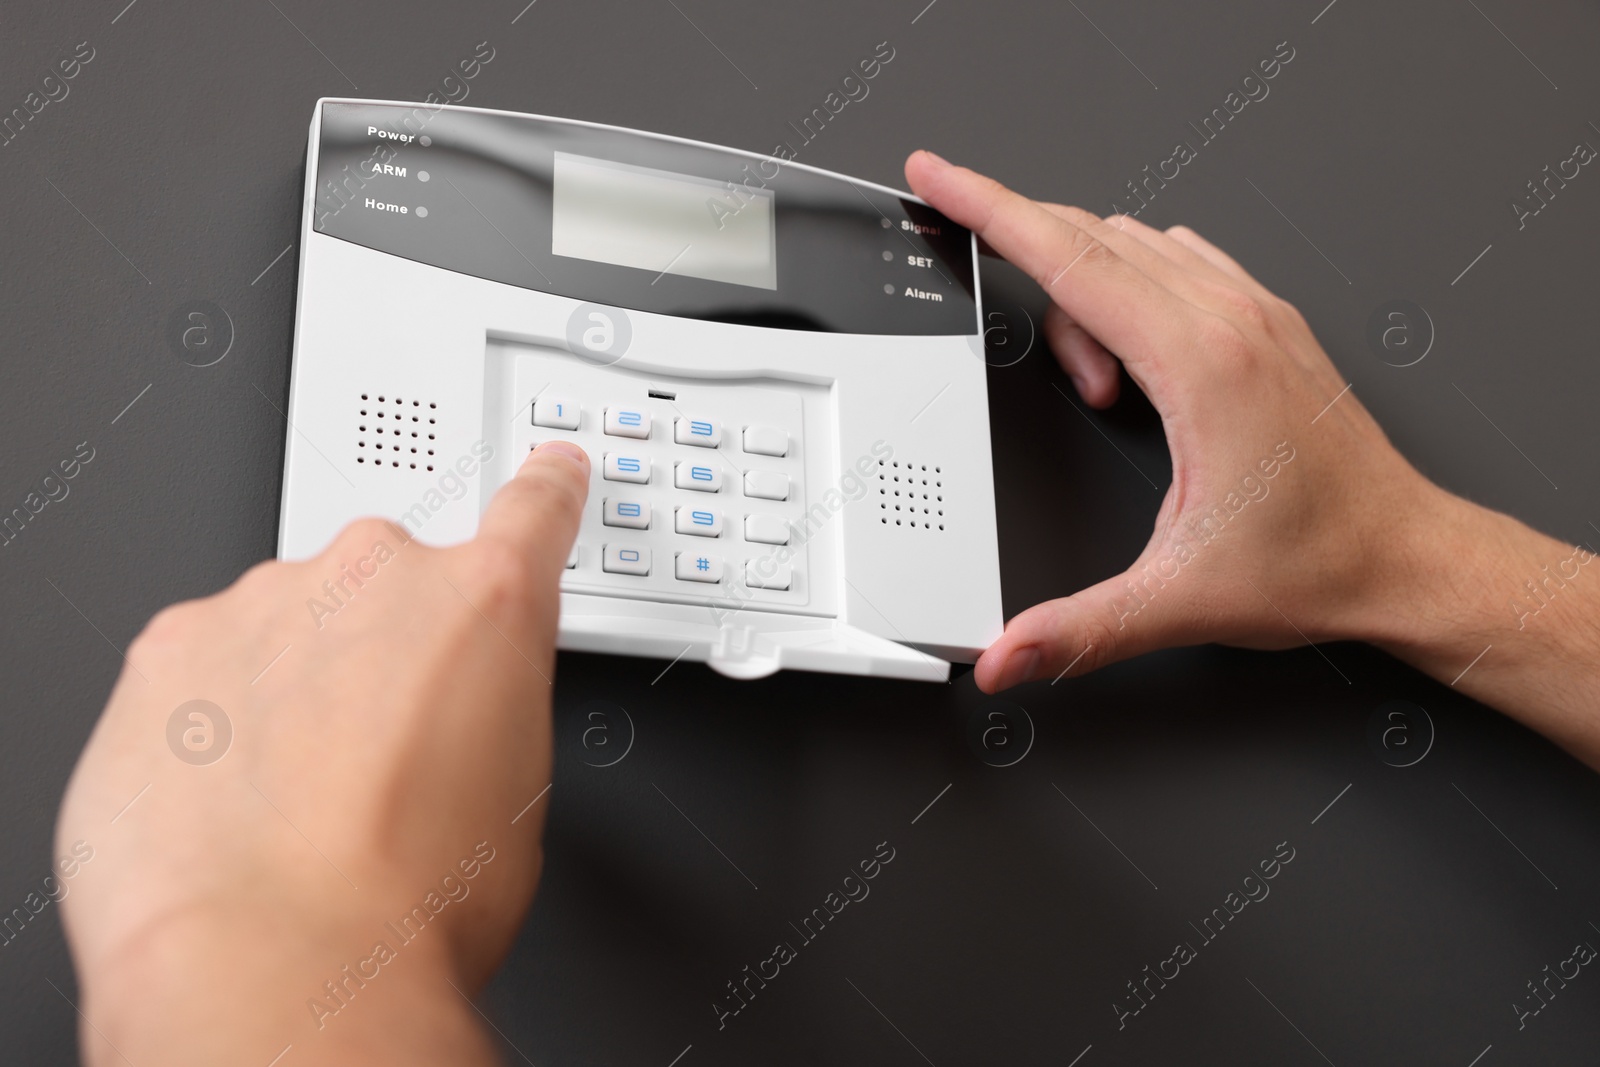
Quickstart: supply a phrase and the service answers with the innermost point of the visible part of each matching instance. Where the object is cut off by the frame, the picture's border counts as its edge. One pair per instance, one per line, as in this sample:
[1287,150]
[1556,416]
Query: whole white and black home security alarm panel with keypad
[775,370]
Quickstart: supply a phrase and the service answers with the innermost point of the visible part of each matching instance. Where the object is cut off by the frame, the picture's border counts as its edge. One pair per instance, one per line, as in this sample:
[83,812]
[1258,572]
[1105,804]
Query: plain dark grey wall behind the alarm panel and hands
[1009,922]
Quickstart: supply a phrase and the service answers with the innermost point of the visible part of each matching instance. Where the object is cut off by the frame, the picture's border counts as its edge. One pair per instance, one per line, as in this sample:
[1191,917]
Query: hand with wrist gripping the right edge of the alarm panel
[1290,518]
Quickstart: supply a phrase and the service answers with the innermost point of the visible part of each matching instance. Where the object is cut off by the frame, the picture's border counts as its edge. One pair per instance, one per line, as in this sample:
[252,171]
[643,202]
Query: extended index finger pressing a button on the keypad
[537,513]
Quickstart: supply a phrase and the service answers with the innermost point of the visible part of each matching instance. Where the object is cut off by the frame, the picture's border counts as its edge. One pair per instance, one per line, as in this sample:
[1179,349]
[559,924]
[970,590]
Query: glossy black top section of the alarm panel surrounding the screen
[473,193]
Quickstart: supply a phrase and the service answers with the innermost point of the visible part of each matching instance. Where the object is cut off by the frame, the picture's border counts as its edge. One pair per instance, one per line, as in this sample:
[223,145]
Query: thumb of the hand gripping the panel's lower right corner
[1118,620]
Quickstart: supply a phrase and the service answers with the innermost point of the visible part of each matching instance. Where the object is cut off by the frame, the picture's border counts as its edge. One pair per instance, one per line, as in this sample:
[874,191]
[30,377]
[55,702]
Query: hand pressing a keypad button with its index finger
[377,791]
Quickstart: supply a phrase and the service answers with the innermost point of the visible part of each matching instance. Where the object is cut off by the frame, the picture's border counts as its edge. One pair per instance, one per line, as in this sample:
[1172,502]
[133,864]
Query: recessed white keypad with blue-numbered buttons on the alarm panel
[697,490]
